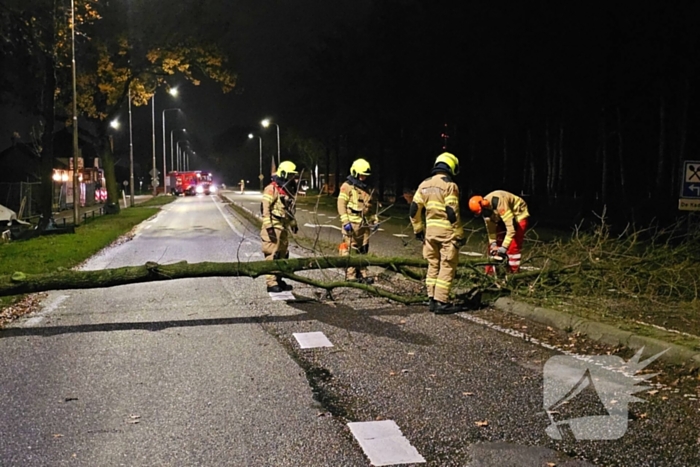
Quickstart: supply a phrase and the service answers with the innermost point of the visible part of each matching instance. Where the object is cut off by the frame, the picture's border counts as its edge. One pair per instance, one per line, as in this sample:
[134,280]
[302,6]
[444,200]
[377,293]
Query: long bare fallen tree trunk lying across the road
[20,283]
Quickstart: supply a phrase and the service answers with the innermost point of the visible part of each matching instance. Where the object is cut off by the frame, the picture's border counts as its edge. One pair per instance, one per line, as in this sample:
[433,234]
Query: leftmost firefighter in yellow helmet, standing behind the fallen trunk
[278,212]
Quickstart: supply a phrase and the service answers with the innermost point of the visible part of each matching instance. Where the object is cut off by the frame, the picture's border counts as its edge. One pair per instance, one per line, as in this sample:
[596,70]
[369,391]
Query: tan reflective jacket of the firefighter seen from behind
[439,196]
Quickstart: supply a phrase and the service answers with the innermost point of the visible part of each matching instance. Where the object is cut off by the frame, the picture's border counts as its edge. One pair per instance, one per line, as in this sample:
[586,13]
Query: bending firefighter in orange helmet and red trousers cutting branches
[505,215]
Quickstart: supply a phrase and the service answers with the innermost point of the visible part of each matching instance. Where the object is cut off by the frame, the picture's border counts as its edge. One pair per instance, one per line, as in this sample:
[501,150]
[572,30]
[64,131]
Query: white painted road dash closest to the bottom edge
[384,444]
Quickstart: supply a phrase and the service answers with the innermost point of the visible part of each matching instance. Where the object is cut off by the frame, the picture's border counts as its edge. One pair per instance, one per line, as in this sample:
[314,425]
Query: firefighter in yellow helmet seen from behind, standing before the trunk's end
[442,234]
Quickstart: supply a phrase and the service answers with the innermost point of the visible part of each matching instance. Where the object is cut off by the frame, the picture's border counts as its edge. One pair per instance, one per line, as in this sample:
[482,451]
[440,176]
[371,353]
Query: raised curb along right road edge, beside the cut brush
[605,333]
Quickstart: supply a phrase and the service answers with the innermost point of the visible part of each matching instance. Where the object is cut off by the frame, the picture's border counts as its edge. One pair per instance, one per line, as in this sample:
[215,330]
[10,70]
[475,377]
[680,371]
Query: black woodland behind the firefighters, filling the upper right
[575,105]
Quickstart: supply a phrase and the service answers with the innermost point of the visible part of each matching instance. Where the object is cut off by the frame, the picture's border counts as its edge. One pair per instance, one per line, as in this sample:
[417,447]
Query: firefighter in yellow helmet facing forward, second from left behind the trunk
[354,203]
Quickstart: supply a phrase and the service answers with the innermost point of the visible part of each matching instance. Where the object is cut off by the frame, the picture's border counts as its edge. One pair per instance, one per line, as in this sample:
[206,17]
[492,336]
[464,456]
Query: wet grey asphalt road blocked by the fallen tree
[208,372]
